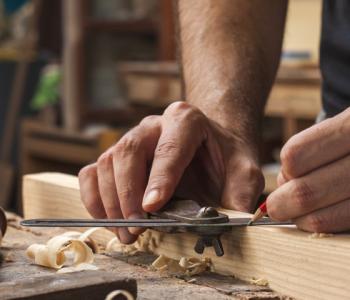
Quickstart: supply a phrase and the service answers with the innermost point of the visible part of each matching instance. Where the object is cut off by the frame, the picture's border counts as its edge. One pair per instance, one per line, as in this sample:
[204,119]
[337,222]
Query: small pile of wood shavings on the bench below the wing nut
[185,266]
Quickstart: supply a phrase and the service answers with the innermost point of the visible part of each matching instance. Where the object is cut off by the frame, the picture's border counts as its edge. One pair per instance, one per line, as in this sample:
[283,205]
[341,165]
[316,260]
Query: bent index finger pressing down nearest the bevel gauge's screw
[182,133]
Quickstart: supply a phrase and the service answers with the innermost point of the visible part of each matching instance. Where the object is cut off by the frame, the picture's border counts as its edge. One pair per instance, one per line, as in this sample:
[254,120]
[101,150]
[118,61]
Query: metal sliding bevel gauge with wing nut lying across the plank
[177,216]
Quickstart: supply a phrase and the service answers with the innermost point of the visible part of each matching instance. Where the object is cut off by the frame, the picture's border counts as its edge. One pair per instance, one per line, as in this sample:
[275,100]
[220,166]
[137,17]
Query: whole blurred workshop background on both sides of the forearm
[76,74]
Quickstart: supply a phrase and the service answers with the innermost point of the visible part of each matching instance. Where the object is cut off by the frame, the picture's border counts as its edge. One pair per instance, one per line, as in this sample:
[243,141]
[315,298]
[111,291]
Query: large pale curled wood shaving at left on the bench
[55,252]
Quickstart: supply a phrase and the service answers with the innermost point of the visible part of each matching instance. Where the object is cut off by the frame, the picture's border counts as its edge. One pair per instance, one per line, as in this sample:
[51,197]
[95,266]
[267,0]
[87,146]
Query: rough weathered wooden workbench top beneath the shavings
[16,269]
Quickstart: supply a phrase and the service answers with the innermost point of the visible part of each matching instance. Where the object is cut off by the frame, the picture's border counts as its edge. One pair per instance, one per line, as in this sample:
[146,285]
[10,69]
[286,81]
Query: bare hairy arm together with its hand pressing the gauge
[200,150]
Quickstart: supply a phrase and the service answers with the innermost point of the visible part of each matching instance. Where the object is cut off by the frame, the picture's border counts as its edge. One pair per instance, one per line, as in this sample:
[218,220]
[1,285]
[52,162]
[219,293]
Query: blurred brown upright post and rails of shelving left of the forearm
[79,25]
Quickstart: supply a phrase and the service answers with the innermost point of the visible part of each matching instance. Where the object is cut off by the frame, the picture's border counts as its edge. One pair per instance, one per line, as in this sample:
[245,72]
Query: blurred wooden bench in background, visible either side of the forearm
[296,94]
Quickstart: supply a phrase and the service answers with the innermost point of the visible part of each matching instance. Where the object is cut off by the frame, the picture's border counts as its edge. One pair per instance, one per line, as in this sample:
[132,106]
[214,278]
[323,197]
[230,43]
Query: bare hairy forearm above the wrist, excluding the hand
[230,52]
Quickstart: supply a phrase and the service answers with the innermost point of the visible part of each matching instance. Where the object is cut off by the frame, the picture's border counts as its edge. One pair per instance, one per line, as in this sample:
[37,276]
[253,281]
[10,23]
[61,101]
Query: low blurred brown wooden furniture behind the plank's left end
[45,148]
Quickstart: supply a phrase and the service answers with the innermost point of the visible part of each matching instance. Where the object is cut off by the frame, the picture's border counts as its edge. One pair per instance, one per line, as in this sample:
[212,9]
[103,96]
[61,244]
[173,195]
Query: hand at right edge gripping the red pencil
[314,182]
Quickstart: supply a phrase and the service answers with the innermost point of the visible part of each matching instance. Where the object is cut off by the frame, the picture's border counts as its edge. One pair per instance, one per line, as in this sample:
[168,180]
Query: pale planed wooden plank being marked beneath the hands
[292,261]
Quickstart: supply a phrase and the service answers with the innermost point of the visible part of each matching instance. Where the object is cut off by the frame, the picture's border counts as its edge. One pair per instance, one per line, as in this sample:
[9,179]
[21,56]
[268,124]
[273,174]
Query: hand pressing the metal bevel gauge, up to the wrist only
[181,152]
